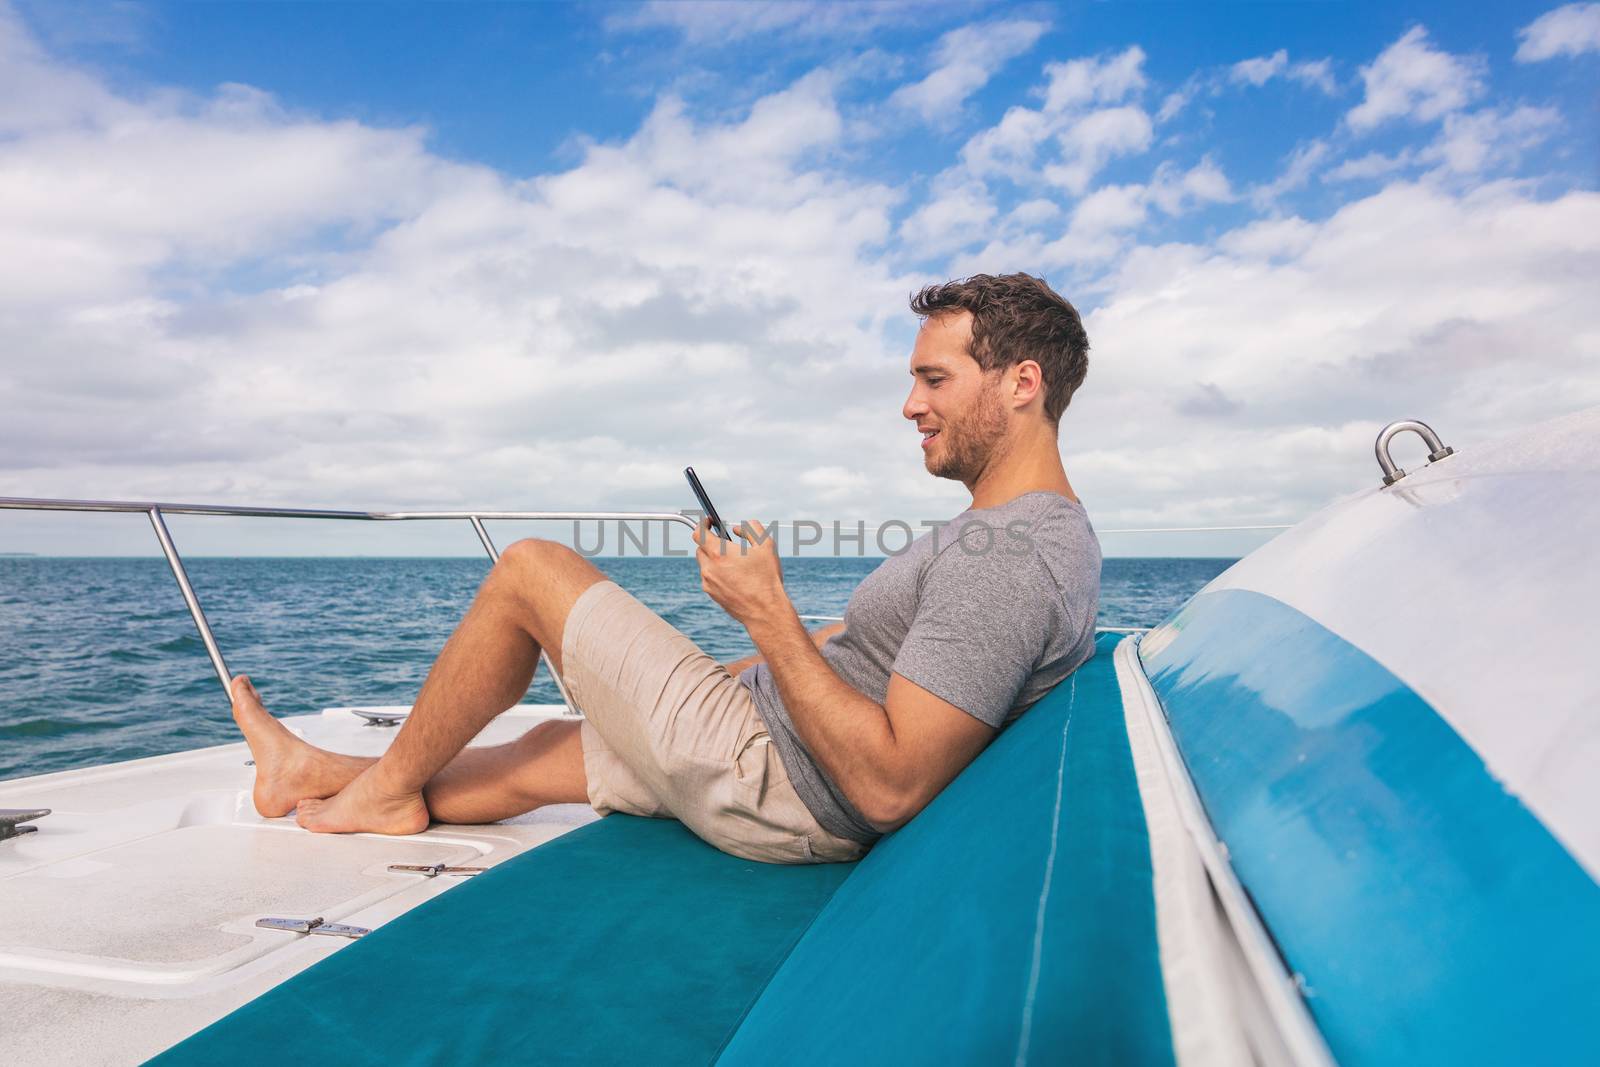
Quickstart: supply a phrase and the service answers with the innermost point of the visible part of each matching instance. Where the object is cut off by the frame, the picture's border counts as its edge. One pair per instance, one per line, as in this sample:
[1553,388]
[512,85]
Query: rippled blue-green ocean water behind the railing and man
[100,660]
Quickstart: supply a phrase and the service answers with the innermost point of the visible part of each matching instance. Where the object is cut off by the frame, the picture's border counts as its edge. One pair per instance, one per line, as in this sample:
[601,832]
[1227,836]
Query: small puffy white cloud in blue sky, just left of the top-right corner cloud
[1415,81]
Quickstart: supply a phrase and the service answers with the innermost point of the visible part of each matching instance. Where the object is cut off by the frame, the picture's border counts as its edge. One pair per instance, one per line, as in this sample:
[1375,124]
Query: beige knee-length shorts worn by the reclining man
[670,733]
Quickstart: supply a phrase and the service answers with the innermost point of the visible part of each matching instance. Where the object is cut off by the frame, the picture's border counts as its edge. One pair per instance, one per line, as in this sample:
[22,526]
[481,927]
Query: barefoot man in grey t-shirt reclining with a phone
[822,743]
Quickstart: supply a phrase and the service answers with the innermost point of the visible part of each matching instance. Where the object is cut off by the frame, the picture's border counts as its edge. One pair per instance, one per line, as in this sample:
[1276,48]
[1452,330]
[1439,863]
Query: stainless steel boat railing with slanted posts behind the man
[158,514]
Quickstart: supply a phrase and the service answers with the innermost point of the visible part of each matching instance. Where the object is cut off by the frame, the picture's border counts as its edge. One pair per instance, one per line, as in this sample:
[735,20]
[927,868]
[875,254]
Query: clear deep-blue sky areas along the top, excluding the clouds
[522,86]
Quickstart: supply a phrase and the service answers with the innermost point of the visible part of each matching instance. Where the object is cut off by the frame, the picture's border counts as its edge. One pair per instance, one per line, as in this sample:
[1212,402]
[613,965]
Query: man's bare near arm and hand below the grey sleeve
[889,759]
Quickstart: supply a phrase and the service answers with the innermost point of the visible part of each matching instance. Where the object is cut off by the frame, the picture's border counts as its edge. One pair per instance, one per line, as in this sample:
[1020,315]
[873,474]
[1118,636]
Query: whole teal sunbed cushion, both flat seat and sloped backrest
[1012,921]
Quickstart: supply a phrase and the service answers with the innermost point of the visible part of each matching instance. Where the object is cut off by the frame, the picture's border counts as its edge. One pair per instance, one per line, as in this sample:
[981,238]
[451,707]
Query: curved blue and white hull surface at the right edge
[1391,719]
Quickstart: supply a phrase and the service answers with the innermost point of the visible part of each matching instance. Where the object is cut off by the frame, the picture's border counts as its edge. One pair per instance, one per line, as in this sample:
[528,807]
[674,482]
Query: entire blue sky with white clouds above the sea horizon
[514,255]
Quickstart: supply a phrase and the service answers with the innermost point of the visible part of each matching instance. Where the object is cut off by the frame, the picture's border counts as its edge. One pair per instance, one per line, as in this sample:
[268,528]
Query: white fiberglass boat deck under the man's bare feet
[129,919]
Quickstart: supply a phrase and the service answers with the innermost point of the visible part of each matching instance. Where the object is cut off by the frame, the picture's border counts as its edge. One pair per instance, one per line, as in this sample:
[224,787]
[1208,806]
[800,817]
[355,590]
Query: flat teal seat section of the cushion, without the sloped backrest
[625,941]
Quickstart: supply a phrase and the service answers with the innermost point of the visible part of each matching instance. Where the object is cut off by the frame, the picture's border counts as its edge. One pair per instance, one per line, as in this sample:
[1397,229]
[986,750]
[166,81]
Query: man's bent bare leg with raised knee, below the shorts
[484,669]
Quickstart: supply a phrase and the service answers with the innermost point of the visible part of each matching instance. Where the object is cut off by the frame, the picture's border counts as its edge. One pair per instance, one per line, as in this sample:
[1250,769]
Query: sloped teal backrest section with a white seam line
[1012,921]
